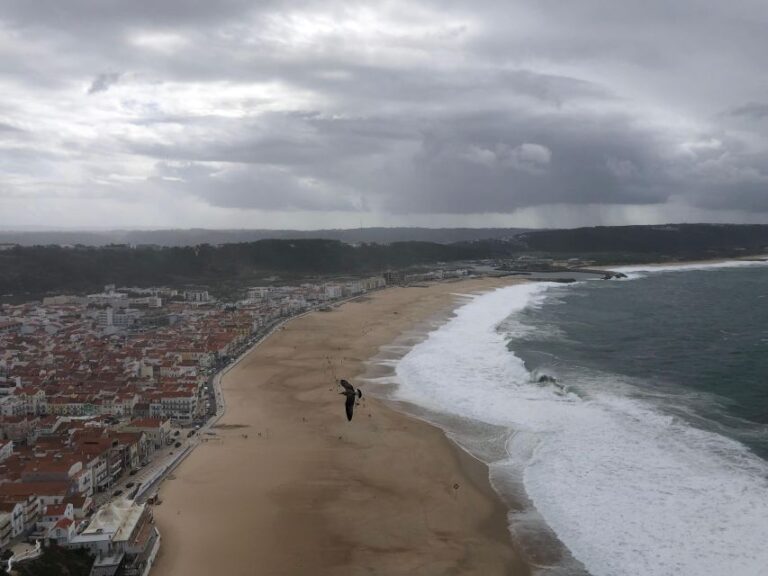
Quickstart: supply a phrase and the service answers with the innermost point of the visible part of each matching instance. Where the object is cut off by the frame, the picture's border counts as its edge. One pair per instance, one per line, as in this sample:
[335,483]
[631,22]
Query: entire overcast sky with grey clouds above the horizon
[316,114]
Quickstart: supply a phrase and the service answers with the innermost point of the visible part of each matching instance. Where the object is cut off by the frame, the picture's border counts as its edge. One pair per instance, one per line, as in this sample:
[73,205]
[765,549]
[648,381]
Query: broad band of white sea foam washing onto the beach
[628,489]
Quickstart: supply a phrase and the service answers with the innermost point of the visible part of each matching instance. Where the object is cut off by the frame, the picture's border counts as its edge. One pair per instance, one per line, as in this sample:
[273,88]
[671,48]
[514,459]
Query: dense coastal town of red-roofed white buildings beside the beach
[101,395]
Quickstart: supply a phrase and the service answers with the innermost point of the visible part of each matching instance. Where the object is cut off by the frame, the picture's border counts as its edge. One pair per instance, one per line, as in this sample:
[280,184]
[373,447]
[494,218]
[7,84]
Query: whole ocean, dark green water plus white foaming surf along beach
[625,422]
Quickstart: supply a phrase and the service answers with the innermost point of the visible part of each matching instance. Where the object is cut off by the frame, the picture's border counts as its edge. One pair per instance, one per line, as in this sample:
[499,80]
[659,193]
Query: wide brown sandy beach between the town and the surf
[288,486]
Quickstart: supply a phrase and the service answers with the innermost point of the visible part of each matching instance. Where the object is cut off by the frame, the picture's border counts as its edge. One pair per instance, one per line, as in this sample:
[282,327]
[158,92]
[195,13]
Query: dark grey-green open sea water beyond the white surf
[692,342]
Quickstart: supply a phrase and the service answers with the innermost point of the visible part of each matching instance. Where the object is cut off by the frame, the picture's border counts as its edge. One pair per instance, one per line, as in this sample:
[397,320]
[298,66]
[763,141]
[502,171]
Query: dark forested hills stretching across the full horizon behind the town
[30,272]
